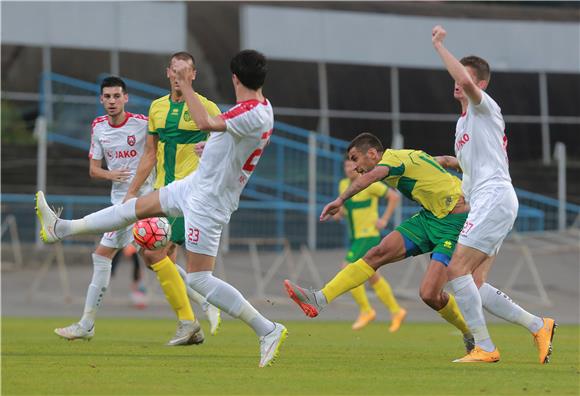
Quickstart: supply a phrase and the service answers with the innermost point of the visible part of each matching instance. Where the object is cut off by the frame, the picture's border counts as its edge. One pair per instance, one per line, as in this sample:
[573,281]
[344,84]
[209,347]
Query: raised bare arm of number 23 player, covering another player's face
[198,112]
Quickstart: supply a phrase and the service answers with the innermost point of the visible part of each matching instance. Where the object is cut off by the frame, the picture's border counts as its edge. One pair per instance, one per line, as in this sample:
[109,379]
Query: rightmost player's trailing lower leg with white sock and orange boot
[501,305]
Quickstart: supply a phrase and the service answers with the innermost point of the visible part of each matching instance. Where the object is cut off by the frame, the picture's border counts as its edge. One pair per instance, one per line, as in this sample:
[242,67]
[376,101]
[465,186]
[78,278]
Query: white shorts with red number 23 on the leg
[202,230]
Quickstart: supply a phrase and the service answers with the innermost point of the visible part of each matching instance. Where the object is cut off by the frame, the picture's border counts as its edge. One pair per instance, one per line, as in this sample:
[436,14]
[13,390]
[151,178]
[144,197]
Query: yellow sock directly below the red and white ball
[174,288]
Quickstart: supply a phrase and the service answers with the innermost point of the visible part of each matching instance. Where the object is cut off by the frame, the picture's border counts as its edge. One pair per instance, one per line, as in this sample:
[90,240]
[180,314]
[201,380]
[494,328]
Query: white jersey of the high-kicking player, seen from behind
[230,157]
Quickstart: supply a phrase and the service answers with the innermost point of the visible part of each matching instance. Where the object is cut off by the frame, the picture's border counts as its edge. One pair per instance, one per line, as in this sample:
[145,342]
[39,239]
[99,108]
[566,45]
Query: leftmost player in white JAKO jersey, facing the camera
[118,138]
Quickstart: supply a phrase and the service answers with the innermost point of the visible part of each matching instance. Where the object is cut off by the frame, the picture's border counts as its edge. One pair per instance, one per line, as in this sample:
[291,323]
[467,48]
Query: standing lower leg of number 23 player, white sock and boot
[224,296]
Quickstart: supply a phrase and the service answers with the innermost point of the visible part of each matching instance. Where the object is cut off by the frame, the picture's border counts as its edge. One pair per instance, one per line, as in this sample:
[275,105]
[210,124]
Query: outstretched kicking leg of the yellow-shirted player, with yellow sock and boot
[391,249]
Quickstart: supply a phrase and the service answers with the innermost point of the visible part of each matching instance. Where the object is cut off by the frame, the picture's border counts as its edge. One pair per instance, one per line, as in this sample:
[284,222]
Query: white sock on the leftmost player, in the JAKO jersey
[96,290]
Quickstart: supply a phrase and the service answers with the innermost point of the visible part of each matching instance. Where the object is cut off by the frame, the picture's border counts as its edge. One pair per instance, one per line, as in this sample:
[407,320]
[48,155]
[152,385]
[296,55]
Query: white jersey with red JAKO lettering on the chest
[122,147]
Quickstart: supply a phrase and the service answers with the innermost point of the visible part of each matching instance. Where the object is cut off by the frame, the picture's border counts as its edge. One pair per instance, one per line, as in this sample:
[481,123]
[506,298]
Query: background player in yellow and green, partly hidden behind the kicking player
[362,214]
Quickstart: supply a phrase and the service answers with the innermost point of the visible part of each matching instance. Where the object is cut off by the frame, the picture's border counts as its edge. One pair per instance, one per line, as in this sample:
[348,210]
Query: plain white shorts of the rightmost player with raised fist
[491,217]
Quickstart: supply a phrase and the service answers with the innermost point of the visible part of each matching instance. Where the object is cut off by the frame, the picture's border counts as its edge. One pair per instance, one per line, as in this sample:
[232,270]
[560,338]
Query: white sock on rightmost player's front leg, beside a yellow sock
[469,303]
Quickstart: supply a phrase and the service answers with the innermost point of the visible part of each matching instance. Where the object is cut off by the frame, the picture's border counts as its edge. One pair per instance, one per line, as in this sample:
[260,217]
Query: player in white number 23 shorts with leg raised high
[207,197]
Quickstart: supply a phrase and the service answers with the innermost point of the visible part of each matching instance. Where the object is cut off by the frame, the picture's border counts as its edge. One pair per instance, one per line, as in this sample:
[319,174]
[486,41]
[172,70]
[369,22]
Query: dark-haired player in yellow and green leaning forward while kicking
[435,229]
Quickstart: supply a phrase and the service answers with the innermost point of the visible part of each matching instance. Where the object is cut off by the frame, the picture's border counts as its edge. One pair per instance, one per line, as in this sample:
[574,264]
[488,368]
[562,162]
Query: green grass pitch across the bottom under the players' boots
[127,357]
